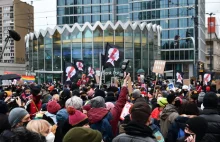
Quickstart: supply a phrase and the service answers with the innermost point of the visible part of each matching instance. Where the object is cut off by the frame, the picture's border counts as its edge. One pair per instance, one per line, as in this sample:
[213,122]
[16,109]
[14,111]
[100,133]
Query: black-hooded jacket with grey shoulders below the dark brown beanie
[136,132]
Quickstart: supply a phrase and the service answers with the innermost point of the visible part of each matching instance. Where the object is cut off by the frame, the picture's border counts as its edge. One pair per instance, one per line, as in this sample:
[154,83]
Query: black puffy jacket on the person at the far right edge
[213,131]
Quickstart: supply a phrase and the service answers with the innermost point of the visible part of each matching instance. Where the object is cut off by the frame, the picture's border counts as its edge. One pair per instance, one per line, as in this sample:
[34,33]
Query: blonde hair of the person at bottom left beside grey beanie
[39,126]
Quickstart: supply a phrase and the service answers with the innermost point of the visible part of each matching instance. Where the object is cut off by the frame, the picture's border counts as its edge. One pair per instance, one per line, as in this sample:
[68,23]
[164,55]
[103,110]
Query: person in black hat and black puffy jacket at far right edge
[210,113]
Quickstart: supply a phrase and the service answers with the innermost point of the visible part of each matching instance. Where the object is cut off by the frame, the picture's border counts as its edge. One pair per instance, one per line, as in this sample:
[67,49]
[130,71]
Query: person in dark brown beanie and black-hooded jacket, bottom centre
[138,130]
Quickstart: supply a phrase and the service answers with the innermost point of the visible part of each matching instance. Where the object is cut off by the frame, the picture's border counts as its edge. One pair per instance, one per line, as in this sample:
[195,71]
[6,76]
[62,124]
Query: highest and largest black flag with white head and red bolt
[112,54]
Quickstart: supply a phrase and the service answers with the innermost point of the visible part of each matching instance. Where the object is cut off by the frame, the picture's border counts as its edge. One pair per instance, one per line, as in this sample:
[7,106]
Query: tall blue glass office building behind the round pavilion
[180,19]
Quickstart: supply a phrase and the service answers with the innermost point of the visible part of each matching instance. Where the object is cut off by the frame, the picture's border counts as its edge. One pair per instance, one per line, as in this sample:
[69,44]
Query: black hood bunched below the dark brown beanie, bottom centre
[136,129]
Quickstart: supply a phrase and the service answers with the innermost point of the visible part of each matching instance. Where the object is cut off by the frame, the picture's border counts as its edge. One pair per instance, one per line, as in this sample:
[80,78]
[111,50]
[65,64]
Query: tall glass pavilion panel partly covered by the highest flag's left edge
[98,45]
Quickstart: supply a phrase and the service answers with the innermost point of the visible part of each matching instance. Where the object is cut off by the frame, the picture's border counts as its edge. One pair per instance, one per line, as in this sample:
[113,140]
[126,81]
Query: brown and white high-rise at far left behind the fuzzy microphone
[18,16]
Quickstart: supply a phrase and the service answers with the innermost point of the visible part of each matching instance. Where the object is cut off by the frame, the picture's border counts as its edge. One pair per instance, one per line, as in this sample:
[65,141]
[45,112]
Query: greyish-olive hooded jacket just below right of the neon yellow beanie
[168,115]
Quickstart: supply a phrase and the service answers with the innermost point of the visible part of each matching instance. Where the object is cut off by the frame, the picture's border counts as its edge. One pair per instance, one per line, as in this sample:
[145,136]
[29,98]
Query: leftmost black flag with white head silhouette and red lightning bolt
[70,71]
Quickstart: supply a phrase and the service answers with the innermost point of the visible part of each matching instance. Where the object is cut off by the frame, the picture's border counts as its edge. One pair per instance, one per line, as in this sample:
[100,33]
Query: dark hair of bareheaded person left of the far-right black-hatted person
[189,108]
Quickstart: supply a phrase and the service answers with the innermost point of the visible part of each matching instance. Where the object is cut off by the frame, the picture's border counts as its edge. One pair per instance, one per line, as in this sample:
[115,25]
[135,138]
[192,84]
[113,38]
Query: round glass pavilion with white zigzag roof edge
[138,42]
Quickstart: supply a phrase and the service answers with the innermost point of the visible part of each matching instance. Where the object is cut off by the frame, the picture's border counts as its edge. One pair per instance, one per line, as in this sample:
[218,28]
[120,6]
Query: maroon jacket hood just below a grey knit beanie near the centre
[97,114]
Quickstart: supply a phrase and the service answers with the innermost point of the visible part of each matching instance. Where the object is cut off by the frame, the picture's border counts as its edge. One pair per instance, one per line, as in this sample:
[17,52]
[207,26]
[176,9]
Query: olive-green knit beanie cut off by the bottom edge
[80,134]
